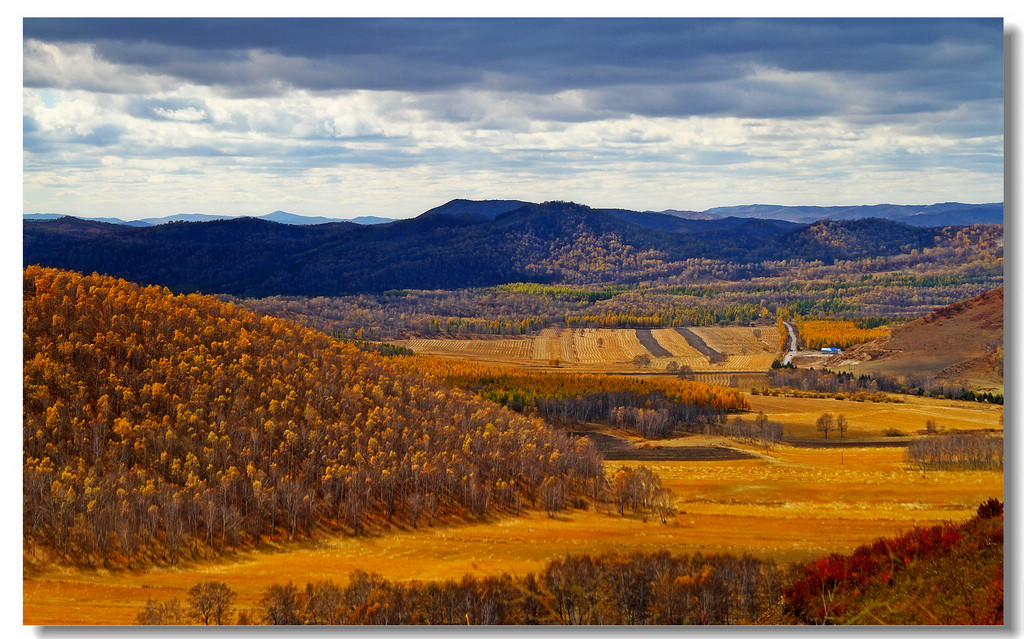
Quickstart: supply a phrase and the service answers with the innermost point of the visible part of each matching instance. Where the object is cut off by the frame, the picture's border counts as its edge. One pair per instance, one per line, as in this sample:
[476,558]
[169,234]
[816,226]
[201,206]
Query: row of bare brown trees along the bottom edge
[635,589]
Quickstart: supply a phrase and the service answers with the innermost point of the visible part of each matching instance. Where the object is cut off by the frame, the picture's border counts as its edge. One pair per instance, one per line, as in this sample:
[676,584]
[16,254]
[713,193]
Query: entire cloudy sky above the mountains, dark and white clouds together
[393,117]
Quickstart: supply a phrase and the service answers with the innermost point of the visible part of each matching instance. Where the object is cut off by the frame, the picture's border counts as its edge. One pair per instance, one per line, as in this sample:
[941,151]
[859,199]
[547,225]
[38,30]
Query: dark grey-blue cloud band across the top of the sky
[956,59]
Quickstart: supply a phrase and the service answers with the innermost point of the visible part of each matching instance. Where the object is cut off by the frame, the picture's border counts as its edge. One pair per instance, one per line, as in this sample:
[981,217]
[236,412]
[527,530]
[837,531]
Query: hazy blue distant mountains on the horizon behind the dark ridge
[946,215]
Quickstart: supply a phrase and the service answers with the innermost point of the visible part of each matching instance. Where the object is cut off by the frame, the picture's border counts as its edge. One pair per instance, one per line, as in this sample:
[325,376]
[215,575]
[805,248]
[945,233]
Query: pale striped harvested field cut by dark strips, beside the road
[612,351]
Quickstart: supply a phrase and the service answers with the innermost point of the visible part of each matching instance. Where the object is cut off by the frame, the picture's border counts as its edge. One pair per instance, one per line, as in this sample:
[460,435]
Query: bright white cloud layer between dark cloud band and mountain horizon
[395,153]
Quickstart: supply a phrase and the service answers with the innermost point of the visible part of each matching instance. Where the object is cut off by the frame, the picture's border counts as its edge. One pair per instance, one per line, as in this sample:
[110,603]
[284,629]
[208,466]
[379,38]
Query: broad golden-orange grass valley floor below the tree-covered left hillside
[792,504]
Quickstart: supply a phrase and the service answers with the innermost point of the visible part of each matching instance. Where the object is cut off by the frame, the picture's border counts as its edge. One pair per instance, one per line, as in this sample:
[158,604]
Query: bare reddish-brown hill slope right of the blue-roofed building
[961,343]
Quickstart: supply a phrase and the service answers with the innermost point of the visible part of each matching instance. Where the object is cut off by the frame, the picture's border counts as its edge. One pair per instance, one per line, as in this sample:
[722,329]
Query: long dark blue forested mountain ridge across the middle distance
[554,242]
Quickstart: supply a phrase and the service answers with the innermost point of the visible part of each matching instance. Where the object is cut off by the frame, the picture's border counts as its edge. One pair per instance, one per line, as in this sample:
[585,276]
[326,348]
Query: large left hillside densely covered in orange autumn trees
[158,428]
